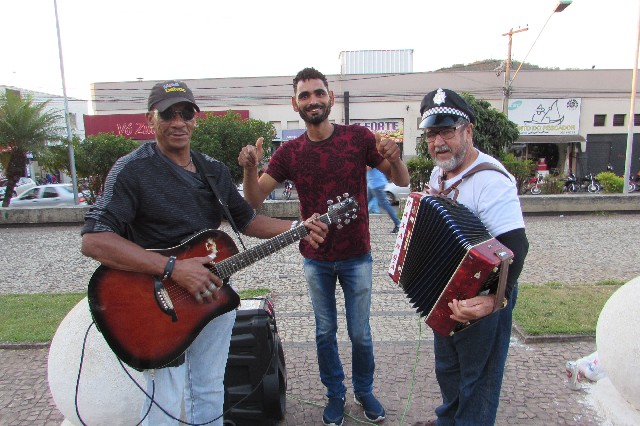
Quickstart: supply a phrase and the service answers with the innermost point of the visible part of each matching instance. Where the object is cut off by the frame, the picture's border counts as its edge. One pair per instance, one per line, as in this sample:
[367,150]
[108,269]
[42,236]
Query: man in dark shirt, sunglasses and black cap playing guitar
[155,198]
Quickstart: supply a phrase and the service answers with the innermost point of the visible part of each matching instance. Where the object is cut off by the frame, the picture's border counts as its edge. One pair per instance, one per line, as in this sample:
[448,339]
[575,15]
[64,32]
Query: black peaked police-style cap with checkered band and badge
[444,108]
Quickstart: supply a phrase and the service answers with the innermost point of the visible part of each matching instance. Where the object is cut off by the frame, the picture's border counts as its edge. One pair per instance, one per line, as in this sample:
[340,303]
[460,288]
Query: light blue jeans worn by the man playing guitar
[200,380]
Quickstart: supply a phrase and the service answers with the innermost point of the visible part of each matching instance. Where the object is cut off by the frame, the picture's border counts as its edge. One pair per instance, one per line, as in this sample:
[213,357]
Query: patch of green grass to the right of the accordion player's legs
[555,308]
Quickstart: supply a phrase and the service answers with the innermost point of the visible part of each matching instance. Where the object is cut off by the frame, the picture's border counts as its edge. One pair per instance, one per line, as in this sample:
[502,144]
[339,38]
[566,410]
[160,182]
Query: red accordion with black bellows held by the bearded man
[444,252]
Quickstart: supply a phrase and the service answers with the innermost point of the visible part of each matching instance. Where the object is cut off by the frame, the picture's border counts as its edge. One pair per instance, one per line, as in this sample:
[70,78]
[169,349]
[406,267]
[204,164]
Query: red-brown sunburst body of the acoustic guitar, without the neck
[125,308]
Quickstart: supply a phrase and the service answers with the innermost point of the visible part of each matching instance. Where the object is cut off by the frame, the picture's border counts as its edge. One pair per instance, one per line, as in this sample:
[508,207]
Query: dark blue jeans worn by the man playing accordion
[469,369]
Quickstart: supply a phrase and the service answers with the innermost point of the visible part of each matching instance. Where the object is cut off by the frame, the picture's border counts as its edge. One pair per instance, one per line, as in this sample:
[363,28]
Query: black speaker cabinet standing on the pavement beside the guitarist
[255,381]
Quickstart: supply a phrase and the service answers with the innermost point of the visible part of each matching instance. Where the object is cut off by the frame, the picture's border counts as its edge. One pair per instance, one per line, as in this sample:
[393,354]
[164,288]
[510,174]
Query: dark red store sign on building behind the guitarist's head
[133,126]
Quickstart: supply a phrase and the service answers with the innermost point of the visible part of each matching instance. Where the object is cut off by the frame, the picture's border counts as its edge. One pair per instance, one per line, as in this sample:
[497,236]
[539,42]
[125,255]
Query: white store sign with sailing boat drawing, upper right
[546,116]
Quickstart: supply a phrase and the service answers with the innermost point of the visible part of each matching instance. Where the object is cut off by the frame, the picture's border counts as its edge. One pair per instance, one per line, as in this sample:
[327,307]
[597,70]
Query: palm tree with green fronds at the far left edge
[24,126]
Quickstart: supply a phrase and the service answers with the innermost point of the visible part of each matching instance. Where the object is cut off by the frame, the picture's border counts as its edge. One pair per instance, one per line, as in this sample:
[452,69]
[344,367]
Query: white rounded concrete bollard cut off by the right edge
[618,341]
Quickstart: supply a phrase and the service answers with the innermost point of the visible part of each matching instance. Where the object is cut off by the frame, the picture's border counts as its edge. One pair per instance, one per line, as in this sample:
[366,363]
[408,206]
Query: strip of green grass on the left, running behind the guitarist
[36,317]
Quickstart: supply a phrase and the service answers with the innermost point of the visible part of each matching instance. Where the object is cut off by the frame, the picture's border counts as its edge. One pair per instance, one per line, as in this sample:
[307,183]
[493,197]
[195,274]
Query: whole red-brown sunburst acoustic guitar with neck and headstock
[148,323]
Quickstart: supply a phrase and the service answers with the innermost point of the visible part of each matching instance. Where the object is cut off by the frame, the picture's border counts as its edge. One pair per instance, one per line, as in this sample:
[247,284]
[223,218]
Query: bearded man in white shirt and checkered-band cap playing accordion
[470,364]
